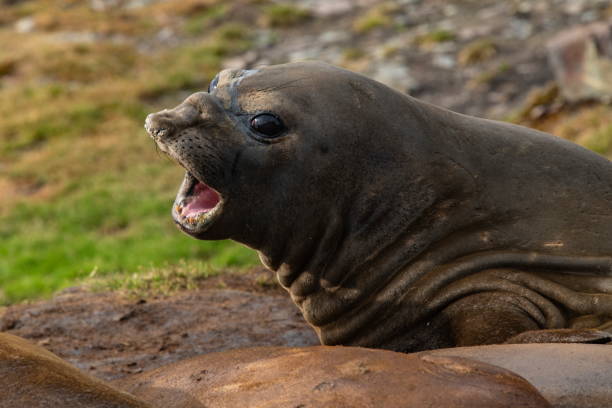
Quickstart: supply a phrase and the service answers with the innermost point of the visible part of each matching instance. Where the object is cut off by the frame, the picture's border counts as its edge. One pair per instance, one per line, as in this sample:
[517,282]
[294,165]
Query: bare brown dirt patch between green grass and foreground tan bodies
[111,335]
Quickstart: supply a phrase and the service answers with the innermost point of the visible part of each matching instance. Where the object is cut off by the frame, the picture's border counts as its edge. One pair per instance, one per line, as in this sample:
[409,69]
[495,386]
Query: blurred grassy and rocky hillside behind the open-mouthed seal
[83,192]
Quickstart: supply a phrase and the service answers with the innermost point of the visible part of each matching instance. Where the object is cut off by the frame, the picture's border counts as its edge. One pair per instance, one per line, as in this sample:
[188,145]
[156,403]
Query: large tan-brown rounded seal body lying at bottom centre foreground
[275,377]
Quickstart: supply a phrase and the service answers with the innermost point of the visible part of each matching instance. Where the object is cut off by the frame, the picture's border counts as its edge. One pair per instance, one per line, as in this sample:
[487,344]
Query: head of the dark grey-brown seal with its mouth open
[274,155]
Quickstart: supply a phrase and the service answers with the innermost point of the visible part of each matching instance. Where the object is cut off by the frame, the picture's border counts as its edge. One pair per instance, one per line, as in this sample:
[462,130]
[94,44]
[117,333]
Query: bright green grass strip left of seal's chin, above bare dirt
[107,226]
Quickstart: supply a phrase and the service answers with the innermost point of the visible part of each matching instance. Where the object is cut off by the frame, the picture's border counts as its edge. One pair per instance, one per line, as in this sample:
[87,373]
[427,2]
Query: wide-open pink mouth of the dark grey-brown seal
[196,206]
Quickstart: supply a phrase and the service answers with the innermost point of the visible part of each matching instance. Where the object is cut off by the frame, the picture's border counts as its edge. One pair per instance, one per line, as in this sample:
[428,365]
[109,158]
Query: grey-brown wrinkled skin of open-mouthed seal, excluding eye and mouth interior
[394,223]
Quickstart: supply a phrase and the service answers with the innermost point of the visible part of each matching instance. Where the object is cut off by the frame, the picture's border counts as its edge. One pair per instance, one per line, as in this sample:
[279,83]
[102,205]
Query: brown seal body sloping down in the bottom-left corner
[32,377]
